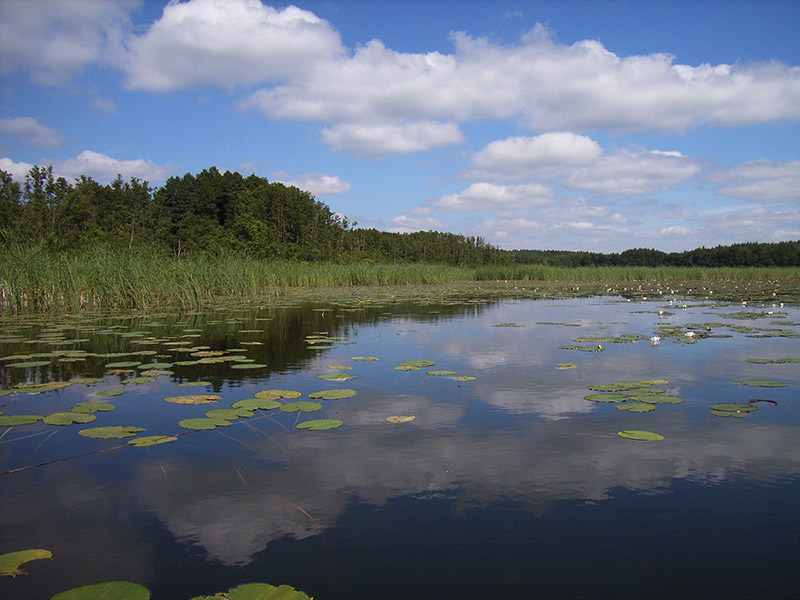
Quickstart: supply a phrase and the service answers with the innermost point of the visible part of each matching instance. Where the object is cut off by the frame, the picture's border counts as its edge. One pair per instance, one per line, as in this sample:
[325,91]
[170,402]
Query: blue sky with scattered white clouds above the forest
[560,124]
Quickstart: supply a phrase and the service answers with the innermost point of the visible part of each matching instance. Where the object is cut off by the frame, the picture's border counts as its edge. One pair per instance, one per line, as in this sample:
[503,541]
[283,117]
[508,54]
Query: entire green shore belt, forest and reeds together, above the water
[212,237]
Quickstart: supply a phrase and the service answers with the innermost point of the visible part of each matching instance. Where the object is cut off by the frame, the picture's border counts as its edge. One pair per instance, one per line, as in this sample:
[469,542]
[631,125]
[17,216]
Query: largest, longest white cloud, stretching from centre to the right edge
[545,84]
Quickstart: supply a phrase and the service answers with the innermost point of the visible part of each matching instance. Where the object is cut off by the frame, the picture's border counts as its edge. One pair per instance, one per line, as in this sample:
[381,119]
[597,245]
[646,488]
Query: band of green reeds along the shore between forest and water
[38,280]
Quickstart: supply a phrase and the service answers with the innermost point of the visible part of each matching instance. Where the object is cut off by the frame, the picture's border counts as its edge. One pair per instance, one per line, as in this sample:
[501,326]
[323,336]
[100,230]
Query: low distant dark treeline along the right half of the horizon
[751,254]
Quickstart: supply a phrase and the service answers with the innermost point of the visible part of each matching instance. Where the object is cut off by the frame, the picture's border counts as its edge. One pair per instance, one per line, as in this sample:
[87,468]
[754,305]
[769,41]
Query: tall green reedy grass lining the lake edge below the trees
[32,279]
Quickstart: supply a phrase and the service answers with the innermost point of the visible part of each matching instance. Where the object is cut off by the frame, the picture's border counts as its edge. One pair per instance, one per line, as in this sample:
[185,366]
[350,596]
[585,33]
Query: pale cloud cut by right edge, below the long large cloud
[760,181]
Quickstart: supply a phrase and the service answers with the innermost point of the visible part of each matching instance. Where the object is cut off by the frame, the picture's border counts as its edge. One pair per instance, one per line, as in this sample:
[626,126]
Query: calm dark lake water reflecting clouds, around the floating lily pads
[511,485]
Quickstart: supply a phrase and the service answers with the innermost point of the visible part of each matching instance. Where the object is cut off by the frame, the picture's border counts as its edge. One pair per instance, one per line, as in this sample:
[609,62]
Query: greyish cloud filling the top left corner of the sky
[53,39]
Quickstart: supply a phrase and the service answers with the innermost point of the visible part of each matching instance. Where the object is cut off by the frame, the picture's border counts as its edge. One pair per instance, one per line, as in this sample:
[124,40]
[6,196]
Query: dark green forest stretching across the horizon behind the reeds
[213,213]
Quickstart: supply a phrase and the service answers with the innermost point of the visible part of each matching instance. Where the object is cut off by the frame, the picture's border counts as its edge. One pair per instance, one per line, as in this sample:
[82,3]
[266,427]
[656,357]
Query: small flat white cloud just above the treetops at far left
[104,168]
